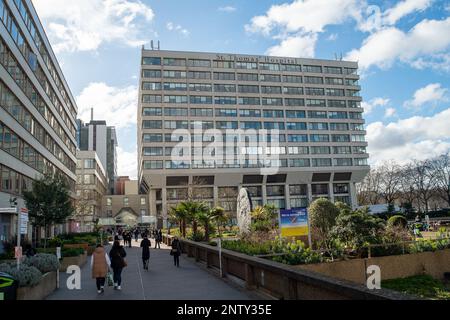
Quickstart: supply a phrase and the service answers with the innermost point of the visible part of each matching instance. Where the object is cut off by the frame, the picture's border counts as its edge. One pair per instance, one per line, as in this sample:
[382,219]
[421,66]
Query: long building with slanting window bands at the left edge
[37,112]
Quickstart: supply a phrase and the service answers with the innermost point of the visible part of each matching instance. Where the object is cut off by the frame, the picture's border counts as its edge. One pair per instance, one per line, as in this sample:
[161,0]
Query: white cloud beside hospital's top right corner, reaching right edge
[386,46]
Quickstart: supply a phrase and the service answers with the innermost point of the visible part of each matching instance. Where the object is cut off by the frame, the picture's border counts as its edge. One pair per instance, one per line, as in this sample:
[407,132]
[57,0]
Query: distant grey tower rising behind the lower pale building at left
[97,136]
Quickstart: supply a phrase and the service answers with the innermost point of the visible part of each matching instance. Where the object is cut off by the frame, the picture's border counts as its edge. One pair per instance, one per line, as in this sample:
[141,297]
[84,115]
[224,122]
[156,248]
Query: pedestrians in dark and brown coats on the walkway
[108,267]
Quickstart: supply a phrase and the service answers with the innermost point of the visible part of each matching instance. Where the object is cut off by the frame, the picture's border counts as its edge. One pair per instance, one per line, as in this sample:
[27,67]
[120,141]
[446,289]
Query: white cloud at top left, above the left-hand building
[84,25]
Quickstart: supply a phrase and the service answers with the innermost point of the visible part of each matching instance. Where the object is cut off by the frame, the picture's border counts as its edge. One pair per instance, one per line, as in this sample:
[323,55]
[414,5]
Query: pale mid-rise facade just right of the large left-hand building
[91,187]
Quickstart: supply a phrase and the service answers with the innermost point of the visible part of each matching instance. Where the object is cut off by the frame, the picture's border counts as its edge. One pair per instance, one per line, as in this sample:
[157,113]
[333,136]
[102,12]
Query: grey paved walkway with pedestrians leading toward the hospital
[163,281]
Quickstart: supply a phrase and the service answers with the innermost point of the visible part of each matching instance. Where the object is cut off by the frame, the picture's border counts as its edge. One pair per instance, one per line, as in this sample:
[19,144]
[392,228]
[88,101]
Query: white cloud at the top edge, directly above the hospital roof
[298,23]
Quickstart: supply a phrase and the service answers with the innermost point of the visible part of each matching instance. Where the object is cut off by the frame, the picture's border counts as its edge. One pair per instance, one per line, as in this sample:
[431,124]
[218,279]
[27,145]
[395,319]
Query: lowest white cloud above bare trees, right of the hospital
[414,138]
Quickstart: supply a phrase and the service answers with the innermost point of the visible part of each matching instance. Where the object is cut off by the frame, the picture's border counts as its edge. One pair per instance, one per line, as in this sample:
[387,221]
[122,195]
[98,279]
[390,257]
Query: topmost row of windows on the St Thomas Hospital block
[203,63]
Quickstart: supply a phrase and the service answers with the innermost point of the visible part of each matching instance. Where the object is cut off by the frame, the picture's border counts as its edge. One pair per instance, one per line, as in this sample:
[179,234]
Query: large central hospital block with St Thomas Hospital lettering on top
[315,105]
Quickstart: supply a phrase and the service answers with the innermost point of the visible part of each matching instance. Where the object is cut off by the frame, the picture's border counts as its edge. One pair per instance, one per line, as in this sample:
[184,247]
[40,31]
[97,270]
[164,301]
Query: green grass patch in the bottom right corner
[423,286]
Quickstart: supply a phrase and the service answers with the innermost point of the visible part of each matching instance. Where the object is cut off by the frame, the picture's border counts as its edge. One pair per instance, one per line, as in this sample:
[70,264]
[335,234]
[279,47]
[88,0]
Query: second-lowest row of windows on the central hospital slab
[293,150]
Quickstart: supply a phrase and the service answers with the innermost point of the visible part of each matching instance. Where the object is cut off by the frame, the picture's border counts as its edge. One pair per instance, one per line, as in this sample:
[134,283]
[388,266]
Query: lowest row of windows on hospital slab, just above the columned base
[281,163]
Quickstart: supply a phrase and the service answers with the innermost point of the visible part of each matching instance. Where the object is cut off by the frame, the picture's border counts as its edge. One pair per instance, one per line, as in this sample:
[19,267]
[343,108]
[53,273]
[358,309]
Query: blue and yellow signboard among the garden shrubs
[294,222]
